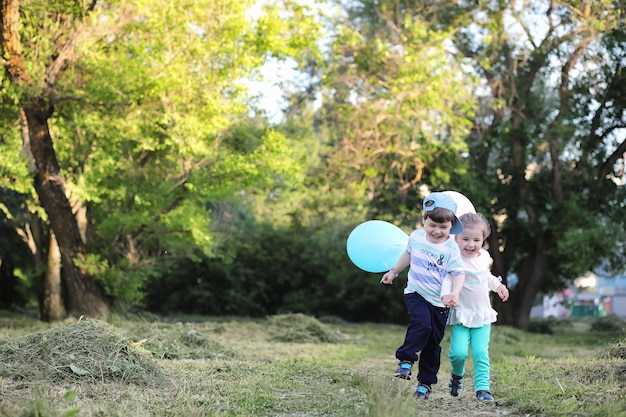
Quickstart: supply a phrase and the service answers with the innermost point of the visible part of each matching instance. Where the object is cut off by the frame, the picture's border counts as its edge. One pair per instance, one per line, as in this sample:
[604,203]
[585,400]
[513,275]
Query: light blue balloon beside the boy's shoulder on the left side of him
[376,245]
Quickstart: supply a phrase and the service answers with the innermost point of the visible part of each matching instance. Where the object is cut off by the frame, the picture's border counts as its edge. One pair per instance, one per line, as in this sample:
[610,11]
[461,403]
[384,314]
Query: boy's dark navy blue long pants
[427,325]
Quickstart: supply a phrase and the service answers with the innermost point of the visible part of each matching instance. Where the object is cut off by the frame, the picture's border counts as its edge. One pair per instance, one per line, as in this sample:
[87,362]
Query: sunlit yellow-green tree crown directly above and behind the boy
[396,108]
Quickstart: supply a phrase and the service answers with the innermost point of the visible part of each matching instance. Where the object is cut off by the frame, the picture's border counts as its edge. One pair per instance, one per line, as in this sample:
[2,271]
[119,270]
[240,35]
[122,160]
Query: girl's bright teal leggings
[461,339]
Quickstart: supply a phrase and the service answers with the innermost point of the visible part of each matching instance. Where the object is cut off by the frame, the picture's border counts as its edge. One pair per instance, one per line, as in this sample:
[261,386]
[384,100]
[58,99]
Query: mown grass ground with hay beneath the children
[292,365]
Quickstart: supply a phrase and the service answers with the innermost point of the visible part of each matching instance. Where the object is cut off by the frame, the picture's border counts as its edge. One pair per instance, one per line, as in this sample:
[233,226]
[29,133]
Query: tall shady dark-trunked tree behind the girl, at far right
[546,144]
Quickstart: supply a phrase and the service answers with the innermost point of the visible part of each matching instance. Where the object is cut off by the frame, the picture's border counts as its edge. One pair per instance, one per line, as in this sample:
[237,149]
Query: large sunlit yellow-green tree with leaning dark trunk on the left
[144,101]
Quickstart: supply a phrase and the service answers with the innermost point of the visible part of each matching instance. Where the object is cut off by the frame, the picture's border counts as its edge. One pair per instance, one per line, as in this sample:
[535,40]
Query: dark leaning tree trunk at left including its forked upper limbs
[85,295]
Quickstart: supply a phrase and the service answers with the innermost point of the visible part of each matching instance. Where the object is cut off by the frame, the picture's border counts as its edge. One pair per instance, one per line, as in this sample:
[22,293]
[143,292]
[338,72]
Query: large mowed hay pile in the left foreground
[88,350]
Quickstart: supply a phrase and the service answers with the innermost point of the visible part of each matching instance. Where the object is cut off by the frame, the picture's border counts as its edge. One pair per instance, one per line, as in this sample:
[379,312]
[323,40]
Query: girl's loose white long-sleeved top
[474,308]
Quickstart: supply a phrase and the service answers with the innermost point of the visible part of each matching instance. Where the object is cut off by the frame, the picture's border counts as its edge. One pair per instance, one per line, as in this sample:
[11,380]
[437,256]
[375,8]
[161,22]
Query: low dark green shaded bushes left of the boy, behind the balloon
[278,271]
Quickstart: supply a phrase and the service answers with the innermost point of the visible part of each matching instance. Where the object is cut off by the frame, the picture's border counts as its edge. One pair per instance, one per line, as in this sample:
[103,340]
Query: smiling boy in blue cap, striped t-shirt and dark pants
[432,255]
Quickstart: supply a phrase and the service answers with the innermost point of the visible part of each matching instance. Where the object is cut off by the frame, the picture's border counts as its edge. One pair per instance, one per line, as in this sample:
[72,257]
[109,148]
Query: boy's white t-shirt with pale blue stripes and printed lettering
[430,264]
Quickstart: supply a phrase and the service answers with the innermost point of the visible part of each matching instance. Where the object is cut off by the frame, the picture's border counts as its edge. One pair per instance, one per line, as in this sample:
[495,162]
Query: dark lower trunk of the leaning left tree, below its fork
[85,295]
